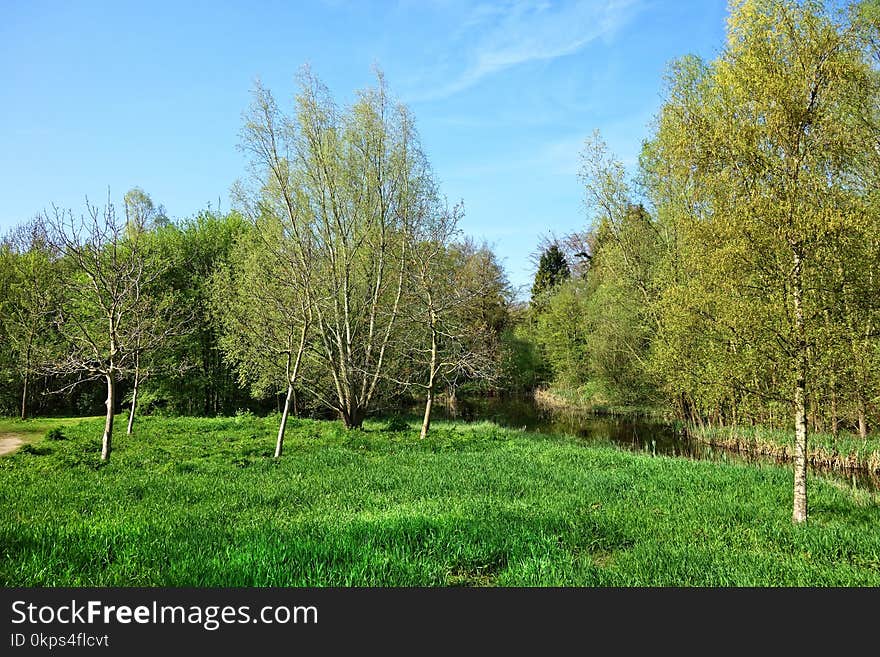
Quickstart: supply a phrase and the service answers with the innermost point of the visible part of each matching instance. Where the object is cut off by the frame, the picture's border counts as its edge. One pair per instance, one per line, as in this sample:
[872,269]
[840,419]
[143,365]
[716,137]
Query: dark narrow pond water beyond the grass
[641,434]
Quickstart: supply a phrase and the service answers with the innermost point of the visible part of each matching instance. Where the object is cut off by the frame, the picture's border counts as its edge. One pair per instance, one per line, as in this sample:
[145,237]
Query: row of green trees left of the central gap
[340,284]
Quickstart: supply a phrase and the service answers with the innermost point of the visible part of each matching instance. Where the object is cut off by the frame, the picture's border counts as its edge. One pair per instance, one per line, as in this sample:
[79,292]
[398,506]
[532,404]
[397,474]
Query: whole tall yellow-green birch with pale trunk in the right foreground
[765,141]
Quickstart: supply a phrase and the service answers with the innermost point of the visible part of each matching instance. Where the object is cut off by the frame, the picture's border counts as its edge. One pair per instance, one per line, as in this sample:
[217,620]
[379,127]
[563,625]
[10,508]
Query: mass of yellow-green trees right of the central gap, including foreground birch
[736,279]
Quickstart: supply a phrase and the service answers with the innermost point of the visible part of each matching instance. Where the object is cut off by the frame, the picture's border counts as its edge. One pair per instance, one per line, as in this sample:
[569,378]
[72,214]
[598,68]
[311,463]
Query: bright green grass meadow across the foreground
[200,502]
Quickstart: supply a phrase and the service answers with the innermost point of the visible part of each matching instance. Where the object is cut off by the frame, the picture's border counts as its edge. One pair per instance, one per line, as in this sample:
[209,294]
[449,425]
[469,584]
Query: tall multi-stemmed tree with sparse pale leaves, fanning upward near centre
[347,185]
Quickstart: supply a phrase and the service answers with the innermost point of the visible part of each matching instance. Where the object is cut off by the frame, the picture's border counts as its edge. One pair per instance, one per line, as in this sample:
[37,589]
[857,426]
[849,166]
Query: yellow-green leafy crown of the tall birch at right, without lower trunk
[785,104]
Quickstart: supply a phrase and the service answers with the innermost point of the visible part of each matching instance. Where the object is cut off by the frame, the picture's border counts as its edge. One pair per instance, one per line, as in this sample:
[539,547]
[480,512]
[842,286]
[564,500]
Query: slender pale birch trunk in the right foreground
[799,513]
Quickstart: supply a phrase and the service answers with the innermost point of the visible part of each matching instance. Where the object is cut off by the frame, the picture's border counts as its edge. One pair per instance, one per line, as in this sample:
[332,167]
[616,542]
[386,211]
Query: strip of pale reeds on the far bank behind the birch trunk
[843,453]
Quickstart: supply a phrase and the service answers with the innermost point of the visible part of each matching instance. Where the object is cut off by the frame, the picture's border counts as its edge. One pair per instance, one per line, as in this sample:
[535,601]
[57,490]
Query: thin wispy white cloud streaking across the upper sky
[498,37]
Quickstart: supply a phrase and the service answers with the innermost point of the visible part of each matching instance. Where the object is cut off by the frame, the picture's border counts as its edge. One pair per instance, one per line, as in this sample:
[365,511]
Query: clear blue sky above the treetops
[150,94]
